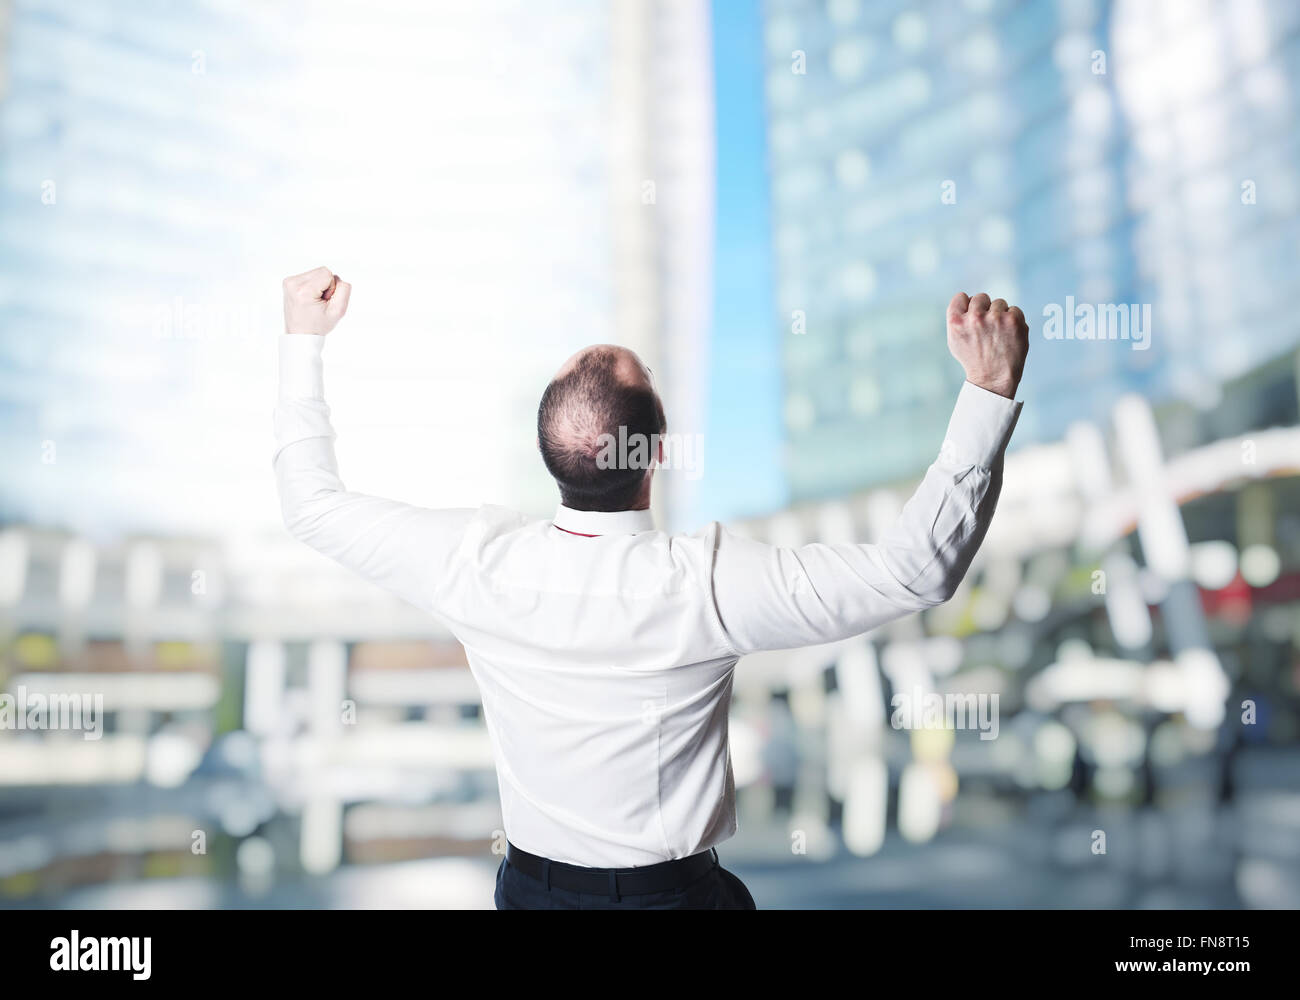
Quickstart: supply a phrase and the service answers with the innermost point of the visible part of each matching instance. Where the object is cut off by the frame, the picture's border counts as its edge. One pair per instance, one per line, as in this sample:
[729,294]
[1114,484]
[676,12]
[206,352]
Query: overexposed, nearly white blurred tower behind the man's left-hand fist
[504,183]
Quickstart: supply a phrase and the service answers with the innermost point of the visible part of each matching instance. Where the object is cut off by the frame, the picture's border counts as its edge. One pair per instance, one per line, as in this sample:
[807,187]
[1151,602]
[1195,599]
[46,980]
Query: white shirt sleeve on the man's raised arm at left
[402,548]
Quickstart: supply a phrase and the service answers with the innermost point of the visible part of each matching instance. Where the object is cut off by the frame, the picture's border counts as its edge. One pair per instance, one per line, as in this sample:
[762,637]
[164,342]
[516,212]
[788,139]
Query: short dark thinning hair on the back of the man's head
[577,412]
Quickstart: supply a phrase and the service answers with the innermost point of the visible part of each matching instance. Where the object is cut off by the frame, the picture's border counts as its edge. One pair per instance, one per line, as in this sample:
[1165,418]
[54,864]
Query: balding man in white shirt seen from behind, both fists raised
[604,650]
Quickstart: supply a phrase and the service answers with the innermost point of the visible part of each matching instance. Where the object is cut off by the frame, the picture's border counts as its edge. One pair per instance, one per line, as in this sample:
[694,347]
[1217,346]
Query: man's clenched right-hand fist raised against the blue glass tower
[990,340]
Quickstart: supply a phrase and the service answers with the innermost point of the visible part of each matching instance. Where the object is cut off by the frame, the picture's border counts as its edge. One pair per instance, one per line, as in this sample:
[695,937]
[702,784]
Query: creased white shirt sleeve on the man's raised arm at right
[773,598]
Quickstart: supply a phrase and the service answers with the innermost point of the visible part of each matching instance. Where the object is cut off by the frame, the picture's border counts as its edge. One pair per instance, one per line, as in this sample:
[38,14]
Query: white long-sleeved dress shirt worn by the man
[605,664]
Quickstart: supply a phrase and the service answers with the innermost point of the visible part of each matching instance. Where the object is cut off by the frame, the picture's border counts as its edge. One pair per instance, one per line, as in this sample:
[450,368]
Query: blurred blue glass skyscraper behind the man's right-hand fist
[1063,155]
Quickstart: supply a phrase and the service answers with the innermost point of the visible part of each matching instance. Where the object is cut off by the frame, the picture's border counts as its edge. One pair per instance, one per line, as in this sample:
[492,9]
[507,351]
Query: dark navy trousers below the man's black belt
[718,890]
